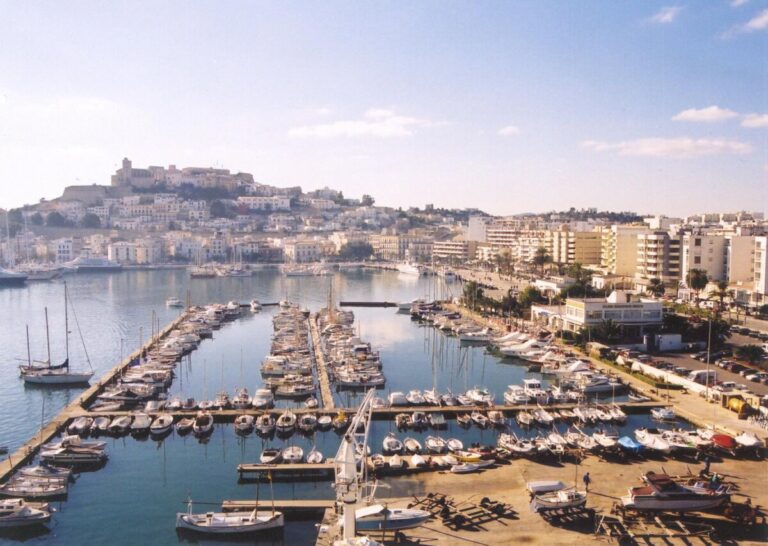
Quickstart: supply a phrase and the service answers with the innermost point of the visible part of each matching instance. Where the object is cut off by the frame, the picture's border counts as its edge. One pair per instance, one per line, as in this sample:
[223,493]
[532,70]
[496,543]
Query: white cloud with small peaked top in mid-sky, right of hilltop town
[376,122]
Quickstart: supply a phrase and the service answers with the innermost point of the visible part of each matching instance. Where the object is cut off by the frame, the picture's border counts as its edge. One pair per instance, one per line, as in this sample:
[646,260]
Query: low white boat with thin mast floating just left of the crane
[230,523]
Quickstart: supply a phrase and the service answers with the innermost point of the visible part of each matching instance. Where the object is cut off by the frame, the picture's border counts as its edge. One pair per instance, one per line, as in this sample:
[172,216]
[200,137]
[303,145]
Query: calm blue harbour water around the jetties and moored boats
[133,500]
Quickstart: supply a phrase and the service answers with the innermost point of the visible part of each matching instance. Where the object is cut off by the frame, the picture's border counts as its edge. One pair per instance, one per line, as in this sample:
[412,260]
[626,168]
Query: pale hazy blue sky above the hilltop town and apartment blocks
[506,106]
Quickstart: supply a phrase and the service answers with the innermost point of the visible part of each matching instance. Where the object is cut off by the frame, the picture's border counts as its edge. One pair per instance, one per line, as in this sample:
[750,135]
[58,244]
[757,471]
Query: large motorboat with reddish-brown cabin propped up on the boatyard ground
[662,493]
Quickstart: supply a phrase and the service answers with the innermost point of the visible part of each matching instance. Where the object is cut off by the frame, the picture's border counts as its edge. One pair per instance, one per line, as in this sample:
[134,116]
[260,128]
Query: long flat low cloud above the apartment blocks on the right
[676,148]
